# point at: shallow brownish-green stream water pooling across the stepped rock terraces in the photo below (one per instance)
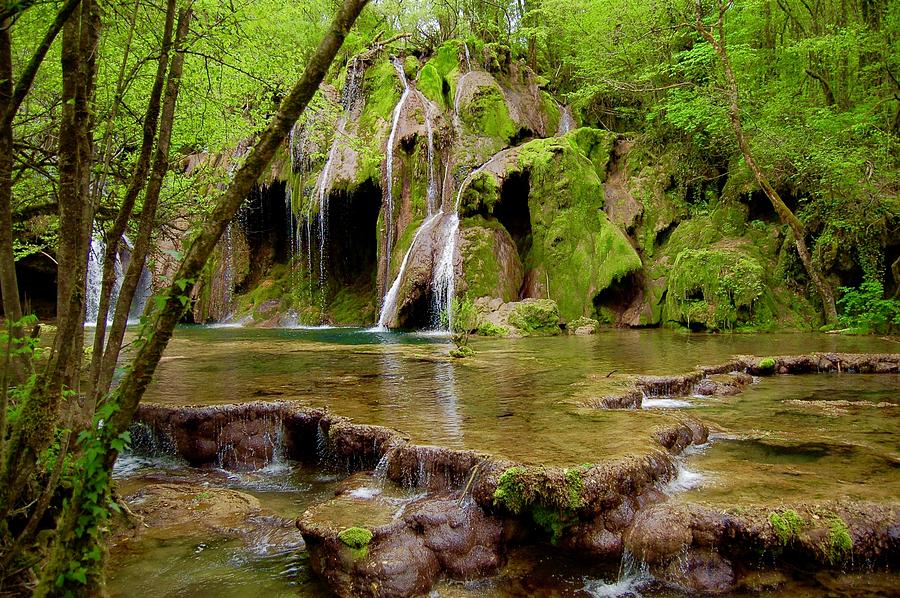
(807, 436)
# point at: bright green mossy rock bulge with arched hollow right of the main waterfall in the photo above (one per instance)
(570, 250)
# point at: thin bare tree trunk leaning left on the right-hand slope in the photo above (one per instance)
(784, 212)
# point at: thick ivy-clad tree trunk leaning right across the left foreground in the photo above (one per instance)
(73, 566)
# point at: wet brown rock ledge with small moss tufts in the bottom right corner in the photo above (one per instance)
(694, 547)
